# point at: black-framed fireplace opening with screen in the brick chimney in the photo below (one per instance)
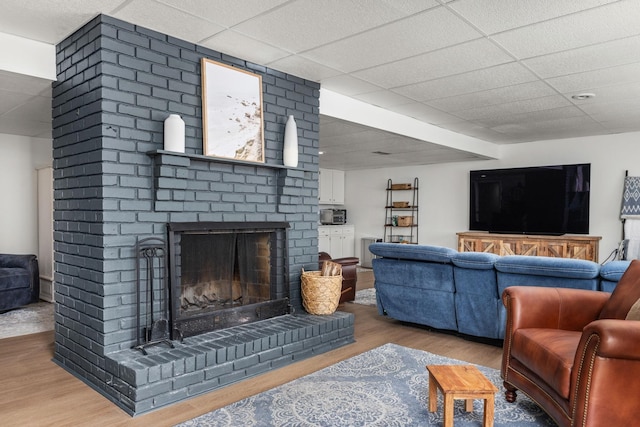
(224, 274)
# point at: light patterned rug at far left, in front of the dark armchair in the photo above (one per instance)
(37, 317)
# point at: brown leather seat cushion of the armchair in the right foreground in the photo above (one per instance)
(549, 353)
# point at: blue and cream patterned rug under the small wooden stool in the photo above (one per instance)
(386, 386)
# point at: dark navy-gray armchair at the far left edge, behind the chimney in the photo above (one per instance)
(19, 281)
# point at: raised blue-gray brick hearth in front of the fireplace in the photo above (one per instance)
(212, 360)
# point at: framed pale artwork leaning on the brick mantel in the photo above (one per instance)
(232, 112)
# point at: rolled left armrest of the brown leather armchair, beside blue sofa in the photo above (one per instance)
(554, 308)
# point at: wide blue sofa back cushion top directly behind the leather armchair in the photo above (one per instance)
(547, 266)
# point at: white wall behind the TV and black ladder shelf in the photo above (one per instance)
(444, 188)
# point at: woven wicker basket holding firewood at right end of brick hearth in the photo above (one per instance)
(320, 294)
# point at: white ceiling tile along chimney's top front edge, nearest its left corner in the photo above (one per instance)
(168, 20)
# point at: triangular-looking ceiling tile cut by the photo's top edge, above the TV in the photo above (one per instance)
(493, 16)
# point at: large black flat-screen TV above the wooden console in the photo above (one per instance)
(532, 200)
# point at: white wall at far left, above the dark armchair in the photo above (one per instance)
(20, 156)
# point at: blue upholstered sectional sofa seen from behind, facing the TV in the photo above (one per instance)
(461, 291)
